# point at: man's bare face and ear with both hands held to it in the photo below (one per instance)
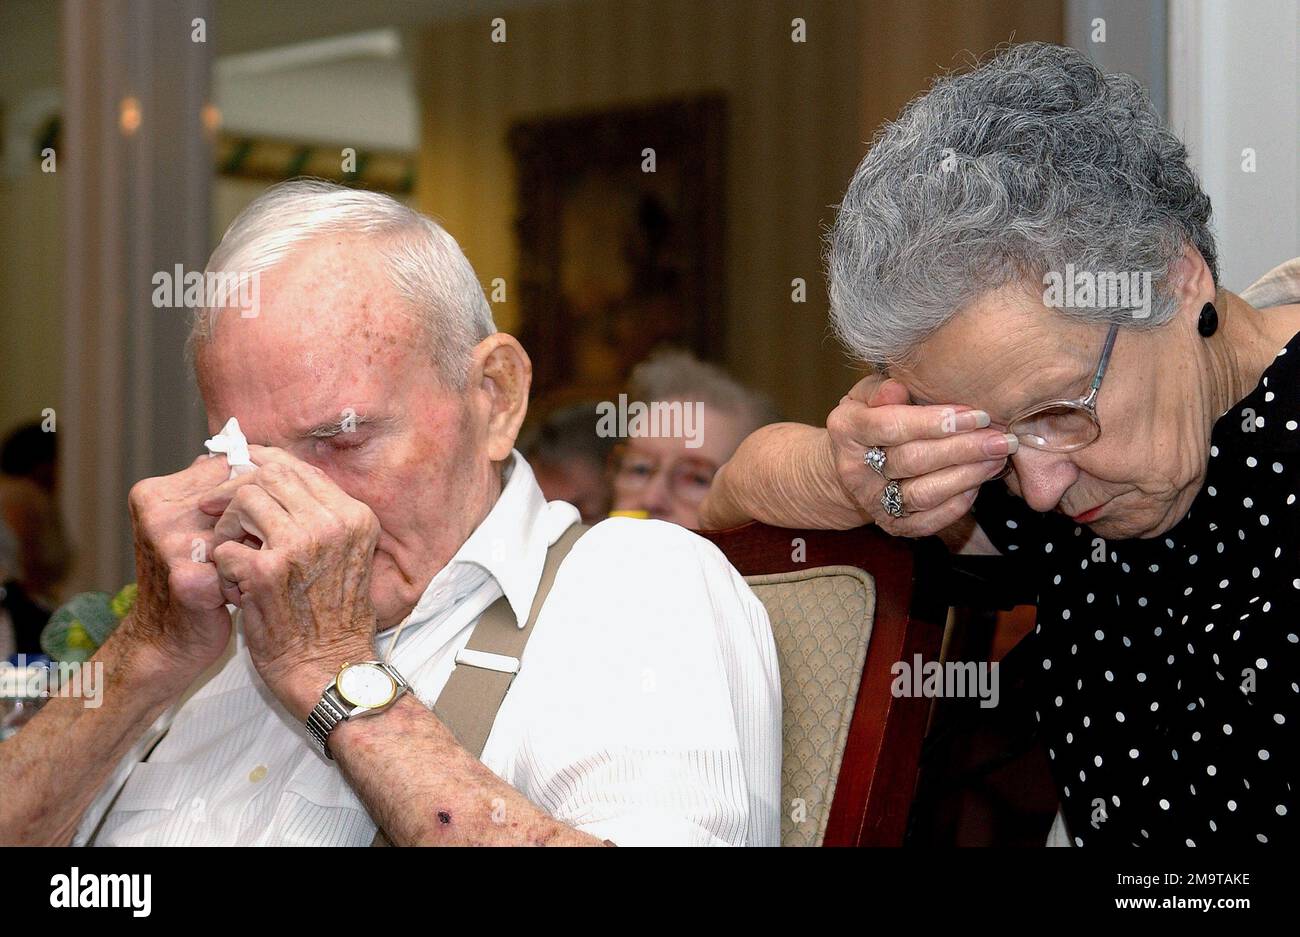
(337, 533)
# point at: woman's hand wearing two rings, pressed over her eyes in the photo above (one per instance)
(941, 456)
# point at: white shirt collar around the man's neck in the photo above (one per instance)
(510, 546)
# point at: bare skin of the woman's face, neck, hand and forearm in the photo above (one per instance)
(943, 422)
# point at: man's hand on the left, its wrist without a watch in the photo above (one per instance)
(180, 622)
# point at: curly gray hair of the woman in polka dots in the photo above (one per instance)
(1028, 163)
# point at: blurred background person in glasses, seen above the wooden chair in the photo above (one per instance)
(664, 474)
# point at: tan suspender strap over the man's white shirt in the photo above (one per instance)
(473, 697)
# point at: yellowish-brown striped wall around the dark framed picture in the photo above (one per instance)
(799, 119)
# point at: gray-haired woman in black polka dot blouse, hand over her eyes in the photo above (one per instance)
(1149, 444)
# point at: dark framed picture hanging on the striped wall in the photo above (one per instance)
(621, 241)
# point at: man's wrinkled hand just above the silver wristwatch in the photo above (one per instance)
(294, 552)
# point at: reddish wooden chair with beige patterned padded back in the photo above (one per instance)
(846, 606)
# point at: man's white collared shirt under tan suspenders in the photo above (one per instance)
(648, 709)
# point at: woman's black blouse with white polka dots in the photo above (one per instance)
(1165, 679)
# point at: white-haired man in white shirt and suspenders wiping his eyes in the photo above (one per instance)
(387, 513)
